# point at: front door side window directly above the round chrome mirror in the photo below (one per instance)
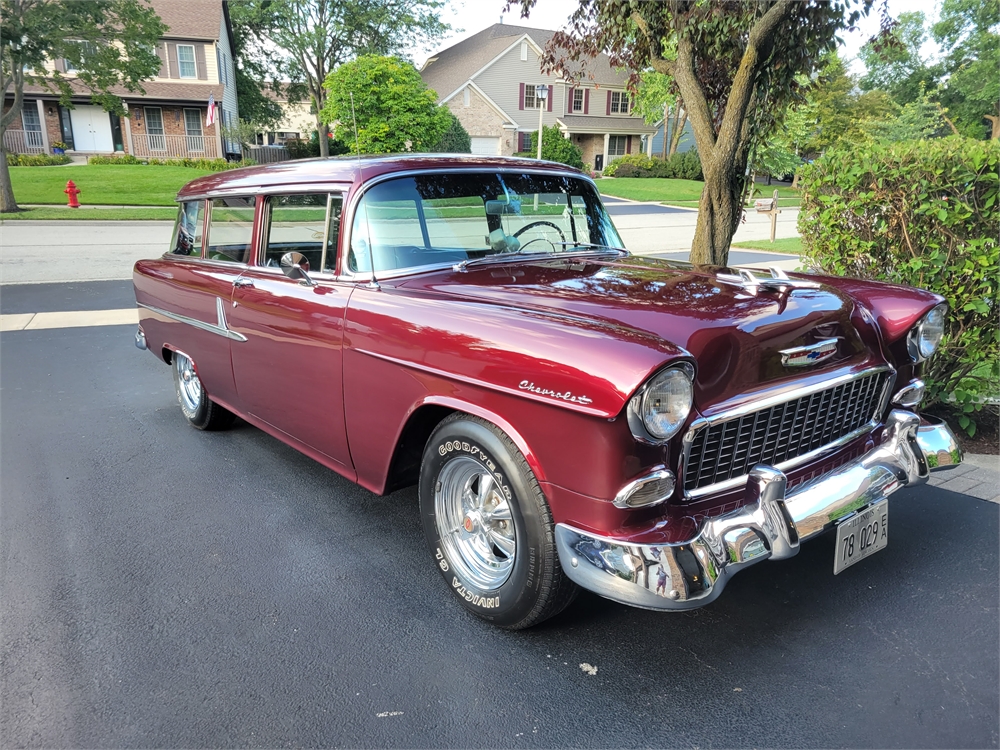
(298, 225)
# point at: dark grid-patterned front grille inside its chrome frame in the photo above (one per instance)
(730, 448)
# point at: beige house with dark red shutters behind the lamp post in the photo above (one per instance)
(488, 80)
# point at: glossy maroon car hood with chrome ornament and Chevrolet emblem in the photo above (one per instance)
(736, 334)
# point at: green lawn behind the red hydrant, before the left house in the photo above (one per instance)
(102, 184)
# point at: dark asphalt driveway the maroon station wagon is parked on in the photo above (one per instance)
(168, 587)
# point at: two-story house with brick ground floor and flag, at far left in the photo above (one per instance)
(169, 120)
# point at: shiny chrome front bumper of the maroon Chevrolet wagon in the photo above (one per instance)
(770, 526)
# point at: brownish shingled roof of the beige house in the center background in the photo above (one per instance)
(449, 69)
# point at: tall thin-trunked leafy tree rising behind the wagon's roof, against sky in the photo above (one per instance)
(307, 39)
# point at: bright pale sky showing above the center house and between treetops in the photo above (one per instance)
(473, 16)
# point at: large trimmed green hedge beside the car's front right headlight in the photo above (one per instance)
(922, 213)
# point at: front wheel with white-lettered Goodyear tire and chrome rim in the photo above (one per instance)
(488, 525)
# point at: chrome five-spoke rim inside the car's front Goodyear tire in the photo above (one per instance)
(474, 523)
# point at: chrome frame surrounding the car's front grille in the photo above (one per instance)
(753, 406)
